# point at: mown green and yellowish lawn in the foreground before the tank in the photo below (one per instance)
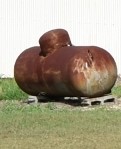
(36, 127)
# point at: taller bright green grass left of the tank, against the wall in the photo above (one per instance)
(9, 90)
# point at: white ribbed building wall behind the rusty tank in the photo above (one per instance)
(89, 22)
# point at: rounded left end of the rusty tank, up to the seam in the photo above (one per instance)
(25, 70)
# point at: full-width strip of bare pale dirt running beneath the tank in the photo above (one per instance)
(70, 104)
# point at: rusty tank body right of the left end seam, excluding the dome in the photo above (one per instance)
(77, 71)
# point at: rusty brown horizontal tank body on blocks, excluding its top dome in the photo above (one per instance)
(69, 71)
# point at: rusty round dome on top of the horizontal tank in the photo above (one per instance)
(53, 40)
